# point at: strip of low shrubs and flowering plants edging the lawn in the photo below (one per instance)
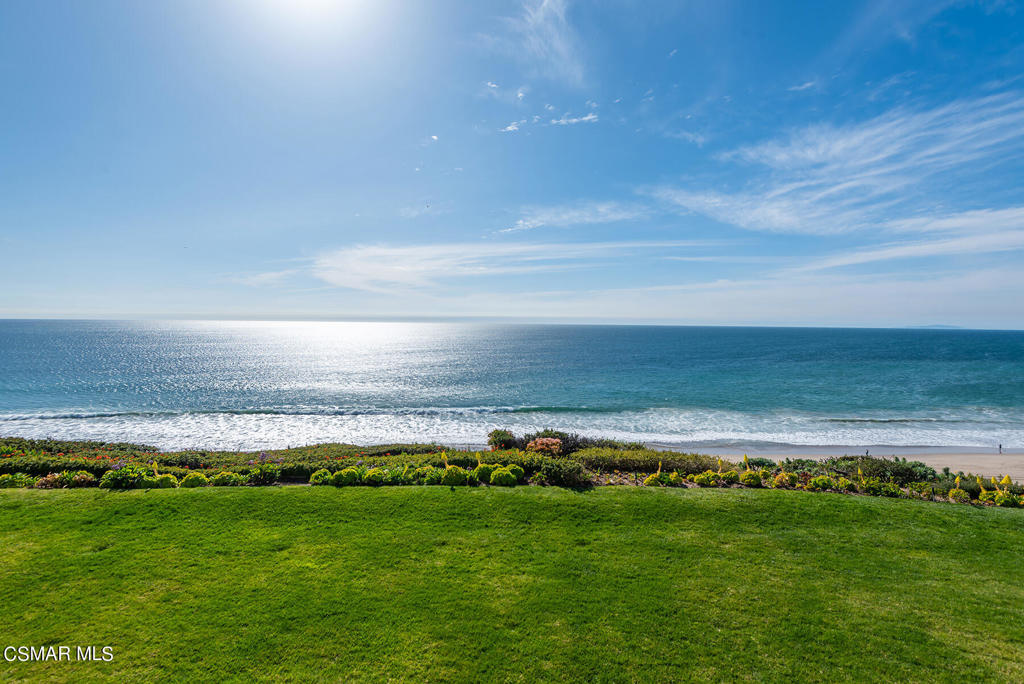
(549, 458)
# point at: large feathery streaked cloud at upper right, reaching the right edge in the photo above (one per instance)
(828, 180)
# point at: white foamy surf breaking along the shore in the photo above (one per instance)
(686, 429)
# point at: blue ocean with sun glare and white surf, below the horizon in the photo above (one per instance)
(263, 386)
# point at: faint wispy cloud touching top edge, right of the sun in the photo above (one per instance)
(543, 38)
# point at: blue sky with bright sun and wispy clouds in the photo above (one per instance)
(713, 163)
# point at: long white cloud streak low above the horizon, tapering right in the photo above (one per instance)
(392, 269)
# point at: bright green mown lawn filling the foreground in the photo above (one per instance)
(618, 584)
